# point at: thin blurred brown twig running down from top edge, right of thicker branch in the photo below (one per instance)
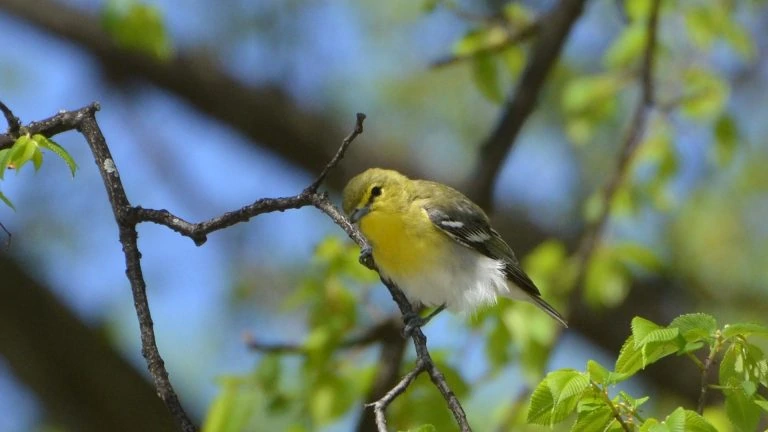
(637, 127)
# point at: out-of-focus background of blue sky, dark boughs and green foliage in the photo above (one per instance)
(208, 106)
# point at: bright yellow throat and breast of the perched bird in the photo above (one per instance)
(402, 249)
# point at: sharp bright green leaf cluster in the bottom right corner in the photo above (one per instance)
(743, 371)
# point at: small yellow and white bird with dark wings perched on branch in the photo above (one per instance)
(436, 244)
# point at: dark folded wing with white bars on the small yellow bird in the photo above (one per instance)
(465, 223)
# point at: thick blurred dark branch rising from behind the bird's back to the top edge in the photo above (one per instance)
(554, 28)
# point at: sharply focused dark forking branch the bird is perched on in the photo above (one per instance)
(127, 218)
